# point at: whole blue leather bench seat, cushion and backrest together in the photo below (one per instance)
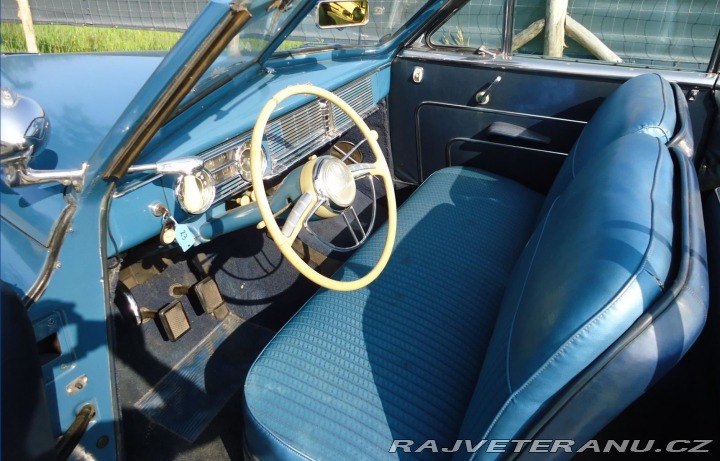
(494, 300)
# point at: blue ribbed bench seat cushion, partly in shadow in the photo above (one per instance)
(400, 358)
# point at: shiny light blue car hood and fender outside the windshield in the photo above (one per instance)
(83, 95)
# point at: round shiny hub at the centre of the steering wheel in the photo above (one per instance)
(334, 182)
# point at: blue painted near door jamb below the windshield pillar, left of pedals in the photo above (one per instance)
(78, 294)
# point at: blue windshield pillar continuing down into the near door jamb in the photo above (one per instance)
(82, 264)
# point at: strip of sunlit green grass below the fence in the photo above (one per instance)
(74, 39)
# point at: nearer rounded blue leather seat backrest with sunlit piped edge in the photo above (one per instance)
(595, 262)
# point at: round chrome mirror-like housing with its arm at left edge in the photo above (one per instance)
(24, 130)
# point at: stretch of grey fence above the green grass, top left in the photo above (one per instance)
(170, 15)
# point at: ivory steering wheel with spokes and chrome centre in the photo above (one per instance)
(328, 187)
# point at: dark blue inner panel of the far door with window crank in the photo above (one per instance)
(429, 119)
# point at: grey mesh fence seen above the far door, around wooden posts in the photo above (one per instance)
(673, 33)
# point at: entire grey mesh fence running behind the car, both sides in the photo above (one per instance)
(674, 33)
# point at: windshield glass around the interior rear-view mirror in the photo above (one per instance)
(386, 19)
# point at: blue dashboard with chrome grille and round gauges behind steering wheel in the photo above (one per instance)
(289, 139)
